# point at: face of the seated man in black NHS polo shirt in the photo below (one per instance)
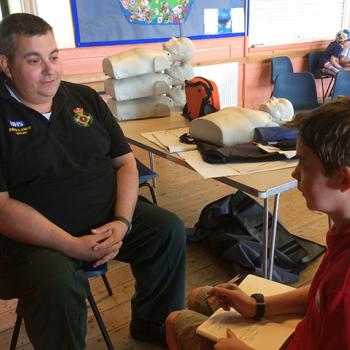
(35, 71)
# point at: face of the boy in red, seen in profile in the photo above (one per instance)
(317, 188)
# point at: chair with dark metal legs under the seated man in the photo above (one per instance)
(90, 272)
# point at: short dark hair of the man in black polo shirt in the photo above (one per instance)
(19, 24)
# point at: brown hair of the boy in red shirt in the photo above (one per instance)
(326, 130)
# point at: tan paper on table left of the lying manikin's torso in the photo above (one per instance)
(169, 139)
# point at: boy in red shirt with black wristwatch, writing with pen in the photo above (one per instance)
(323, 175)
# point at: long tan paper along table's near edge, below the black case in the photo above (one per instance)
(206, 170)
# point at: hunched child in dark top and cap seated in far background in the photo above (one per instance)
(329, 61)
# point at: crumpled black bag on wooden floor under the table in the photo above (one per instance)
(232, 228)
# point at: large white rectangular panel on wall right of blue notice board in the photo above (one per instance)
(276, 22)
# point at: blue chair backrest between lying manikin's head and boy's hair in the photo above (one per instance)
(298, 88)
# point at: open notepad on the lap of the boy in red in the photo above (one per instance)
(267, 334)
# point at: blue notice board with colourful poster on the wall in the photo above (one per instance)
(109, 22)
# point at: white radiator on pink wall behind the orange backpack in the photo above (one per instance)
(225, 76)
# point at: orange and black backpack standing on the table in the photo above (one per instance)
(202, 98)
